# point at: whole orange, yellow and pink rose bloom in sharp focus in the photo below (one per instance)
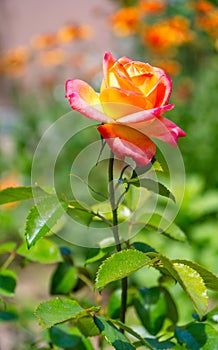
(132, 98)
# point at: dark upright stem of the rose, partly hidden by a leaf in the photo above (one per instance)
(124, 282)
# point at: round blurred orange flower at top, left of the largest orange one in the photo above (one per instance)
(126, 21)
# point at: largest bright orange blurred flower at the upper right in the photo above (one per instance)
(167, 33)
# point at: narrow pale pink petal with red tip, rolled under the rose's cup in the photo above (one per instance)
(144, 115)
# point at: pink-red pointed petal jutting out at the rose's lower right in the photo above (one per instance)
(162, 129)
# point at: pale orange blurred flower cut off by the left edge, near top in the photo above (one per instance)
(14, 62)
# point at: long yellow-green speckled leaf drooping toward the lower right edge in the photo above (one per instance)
(191, 281)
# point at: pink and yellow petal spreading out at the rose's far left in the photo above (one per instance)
(85, 100)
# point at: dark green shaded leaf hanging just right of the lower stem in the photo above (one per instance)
(151, 307)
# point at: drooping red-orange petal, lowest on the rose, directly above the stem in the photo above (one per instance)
(127, 142)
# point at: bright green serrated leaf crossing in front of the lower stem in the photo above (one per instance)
(120, 265)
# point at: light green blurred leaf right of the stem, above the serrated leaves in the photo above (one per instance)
(162, 225)
